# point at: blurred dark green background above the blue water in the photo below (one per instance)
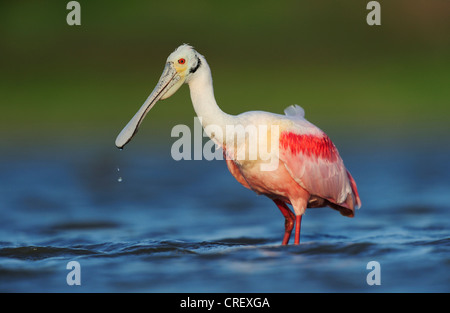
(61, 82)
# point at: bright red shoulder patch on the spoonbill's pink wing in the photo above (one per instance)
(309, 145)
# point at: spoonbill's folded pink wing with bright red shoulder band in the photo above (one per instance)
(314, 163)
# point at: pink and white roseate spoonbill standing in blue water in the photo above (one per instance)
(310, 171)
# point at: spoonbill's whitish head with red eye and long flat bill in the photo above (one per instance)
(181, 66)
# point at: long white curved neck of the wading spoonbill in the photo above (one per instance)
(213, 119)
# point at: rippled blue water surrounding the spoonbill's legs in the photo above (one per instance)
(188, 226)
